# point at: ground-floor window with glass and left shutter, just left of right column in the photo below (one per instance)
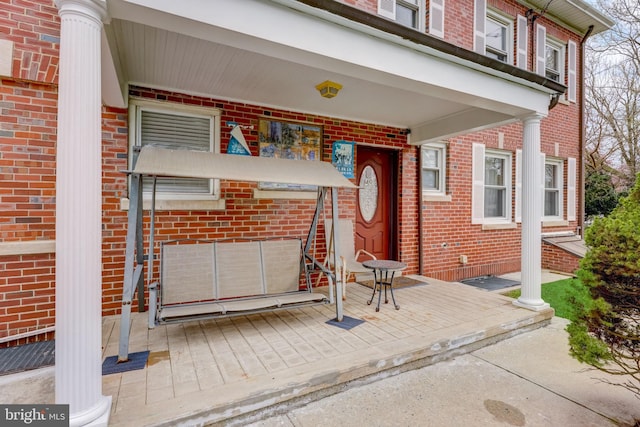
(491, 191)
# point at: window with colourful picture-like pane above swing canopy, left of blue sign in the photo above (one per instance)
(289, 140)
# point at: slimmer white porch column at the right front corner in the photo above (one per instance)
(532, 205)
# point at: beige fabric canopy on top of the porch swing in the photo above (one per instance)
(199, 164)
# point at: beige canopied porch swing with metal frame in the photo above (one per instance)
(201, 279)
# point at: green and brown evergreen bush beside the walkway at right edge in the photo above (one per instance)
(607, 328)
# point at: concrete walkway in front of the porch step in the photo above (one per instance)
(528, 380)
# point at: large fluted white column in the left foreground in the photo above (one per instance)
(78, 369)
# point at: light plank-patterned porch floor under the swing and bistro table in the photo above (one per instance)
(209, 371)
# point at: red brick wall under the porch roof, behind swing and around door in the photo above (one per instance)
(244, 215)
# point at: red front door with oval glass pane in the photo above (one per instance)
(376, 201)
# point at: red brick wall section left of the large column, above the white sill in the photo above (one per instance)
(27, 160)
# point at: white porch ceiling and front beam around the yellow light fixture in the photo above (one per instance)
(266, 54)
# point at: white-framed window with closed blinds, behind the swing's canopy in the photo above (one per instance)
(178, 127)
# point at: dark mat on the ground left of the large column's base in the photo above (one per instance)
(27, 356)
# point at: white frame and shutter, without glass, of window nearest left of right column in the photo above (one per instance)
(477, 193)
